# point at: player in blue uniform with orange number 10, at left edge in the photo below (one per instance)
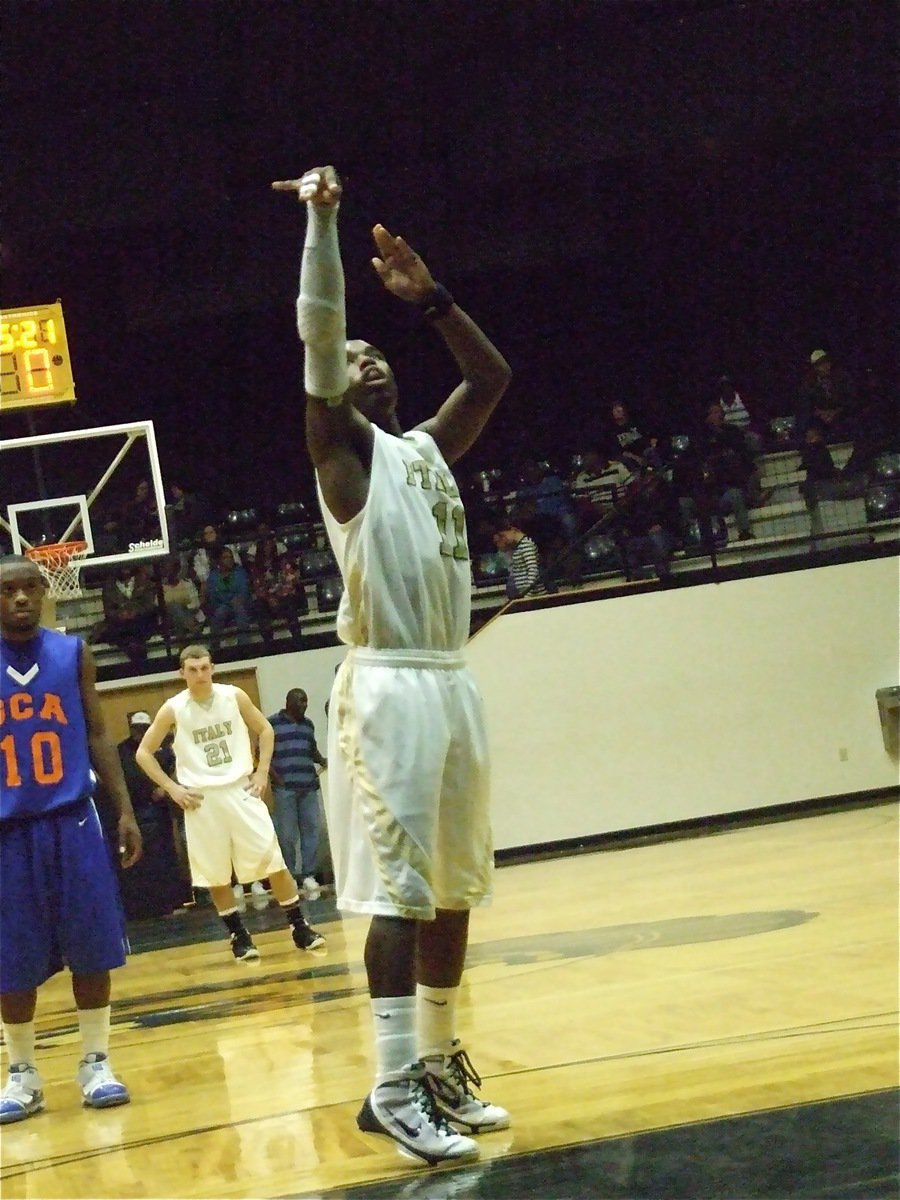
(61, 896)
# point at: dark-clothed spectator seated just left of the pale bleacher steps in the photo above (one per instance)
(716, 475)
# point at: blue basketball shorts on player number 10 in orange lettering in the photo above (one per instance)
(61, 899)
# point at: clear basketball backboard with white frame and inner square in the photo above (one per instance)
(82, 485)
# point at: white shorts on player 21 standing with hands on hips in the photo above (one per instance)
(232, 829)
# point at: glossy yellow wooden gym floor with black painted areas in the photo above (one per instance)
(711, 1017)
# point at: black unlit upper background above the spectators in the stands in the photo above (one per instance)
(631, 197)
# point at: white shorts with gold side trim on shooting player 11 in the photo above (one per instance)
(409, 785)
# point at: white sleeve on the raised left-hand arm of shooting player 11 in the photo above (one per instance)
(321, 314)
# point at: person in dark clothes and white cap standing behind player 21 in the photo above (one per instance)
(154, 887)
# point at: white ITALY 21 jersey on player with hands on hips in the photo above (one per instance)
(212, 739)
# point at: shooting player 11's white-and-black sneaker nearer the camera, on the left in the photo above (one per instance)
(404, 1108)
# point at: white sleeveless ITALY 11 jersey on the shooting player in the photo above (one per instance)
(405, 559)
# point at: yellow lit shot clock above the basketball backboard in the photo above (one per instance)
(35, 369)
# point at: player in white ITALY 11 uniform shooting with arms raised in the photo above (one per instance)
(407, 749)
